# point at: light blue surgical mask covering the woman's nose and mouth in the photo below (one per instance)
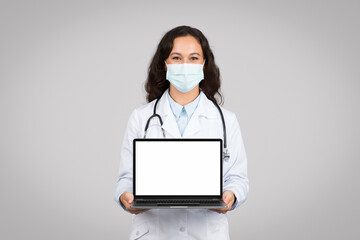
(184, 77)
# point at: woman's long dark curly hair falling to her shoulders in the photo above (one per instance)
(156, 82)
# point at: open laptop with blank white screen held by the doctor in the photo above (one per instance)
(177, 173)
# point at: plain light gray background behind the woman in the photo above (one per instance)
(72, 72)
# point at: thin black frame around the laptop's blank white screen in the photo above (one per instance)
(178, 196)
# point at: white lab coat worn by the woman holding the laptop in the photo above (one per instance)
(185, 223)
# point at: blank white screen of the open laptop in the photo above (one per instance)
(177, 168)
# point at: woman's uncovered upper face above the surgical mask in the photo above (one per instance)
(186, 50)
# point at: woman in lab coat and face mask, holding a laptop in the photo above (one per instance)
(184, 77)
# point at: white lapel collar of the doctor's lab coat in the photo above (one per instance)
(205, 109)
